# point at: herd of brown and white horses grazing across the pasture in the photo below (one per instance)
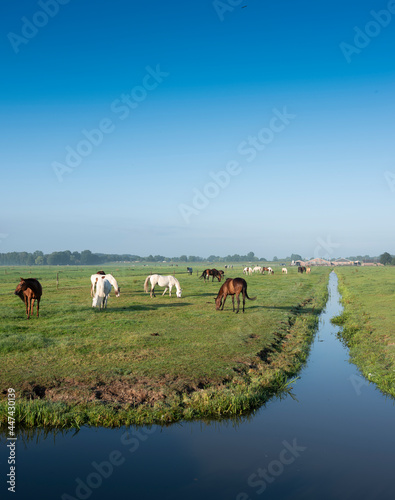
(30, 289)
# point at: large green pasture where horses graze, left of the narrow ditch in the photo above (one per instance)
(153, 360)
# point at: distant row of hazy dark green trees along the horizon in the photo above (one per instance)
(86, 257)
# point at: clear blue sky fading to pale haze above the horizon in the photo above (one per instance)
(295, 99)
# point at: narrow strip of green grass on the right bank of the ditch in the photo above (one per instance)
(368, 322)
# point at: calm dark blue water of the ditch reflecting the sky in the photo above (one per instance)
(335, 440)
